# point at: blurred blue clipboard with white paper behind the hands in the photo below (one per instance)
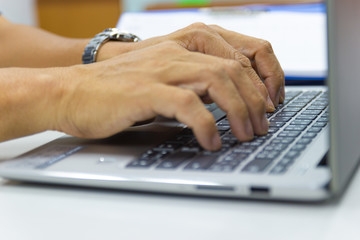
(299, 42)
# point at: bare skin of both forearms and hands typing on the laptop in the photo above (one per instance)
(45, 86)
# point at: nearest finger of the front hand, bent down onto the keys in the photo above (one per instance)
(186, 107)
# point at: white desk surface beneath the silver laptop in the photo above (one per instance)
(50, 212)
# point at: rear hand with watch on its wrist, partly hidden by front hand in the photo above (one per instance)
(255, 55)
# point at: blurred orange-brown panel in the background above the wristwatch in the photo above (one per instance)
(78, 18)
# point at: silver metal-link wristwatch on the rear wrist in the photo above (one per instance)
(109, 34)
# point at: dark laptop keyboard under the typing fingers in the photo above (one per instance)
(293, 126)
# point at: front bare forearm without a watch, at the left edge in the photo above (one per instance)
(29, 101)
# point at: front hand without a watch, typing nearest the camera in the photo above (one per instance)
(165, 79)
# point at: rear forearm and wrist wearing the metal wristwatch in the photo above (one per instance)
(26, 46)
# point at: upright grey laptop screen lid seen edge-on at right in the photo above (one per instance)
(344, 83)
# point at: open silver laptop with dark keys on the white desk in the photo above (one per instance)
(310, 153)
